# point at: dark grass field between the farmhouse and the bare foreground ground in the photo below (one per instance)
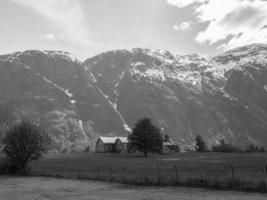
(244, 171)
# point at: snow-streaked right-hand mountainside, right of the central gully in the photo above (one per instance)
(219, 97)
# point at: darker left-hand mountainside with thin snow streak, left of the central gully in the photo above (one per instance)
(56, 90)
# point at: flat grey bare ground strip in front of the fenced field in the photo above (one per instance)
(41, 188)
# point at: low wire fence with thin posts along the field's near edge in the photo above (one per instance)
(223, 177)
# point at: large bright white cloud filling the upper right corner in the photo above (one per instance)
(238, 22)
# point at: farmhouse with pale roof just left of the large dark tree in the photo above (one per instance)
(111, 145)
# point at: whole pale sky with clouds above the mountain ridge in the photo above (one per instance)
(88, 27)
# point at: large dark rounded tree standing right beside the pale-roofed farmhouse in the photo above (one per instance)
(146, 137)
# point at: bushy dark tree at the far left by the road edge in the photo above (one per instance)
(24, 143)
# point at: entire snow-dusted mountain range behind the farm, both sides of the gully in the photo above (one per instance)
(224, 96)
